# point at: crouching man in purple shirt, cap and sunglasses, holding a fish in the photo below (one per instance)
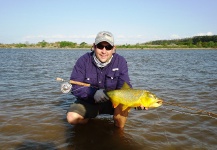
(104, 70)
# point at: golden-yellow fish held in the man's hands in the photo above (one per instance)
(129, 97)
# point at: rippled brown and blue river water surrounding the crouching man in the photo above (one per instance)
(32, 108)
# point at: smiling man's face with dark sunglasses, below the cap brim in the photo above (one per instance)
(104, 51)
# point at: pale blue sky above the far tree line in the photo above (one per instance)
(130, 21)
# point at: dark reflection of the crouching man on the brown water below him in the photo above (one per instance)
(99, 133)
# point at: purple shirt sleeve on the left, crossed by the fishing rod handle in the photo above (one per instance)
(78, 74)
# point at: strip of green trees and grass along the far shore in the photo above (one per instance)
(194, 42)
